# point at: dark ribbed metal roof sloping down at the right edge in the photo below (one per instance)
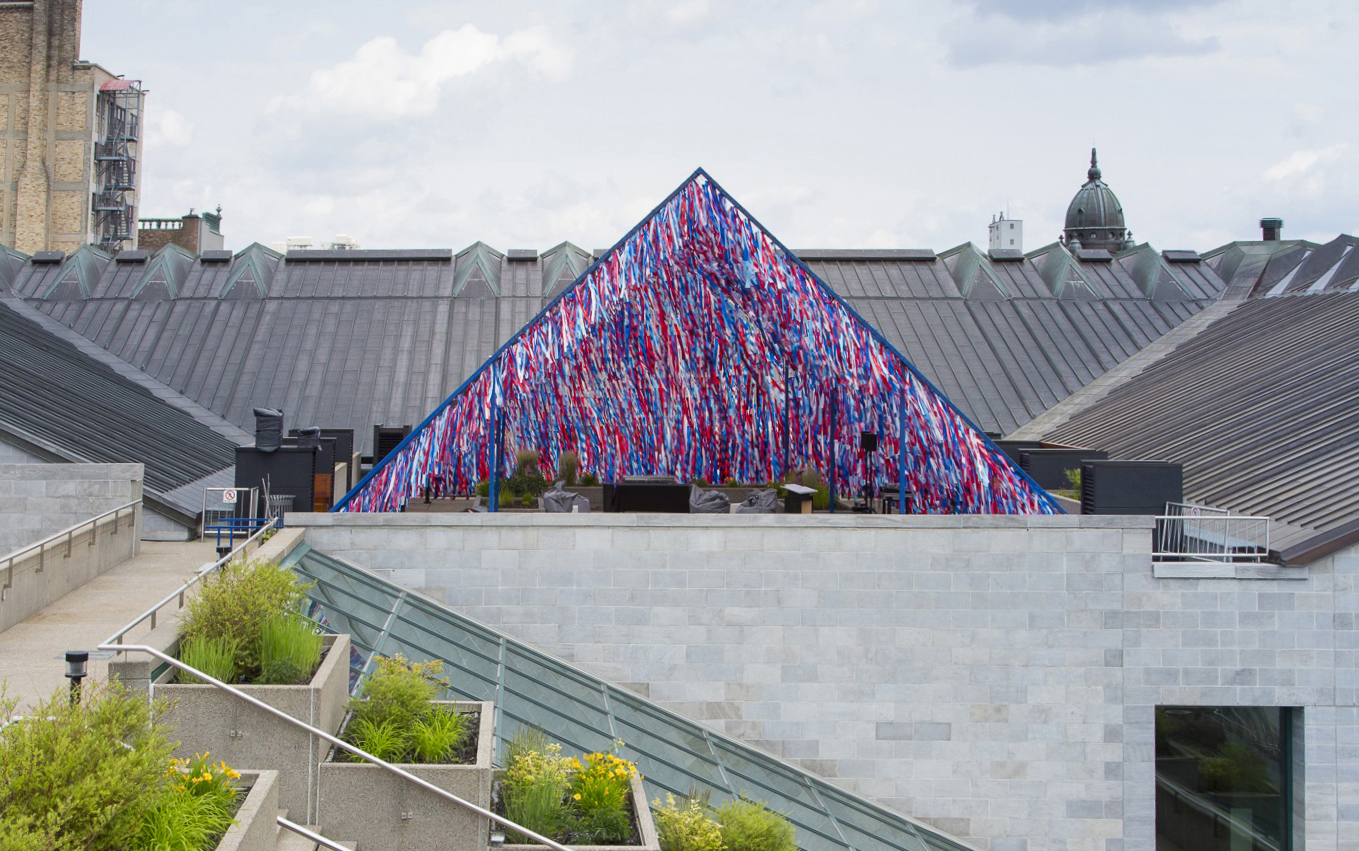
(1259, 407)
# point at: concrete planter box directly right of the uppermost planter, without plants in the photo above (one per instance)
(384, 812)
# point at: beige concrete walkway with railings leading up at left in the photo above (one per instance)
(33, 652)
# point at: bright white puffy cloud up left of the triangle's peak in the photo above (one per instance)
(385, 81)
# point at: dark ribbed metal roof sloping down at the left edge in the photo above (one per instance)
(84, 410)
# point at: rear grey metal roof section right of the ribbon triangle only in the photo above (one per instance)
(1009, 341)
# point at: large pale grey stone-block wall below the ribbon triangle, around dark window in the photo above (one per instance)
(995, 678)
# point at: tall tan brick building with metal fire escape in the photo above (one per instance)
(71, 177)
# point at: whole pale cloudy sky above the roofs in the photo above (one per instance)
(839, 123)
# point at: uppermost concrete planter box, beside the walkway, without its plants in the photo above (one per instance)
(207, 718)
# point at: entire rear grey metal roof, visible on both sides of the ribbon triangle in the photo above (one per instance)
(354, 339)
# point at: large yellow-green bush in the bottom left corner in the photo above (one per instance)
(81, 777)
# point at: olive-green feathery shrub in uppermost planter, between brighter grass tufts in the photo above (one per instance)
(236, 604)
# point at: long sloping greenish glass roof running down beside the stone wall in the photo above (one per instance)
(586, 714)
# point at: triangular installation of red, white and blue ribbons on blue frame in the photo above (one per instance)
(699, 347)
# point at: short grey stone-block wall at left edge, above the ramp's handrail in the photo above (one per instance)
(39, 500)
